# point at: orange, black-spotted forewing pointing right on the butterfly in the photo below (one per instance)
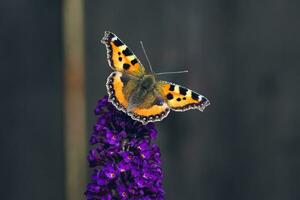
(180, 98)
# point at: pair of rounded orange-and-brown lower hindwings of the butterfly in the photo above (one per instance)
(120, 88)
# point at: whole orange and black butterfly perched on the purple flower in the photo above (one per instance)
(134, 91)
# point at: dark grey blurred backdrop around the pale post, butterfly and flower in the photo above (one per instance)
(242, 55)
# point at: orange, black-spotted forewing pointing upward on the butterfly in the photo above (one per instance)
(120, 57)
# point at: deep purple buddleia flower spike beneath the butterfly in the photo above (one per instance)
(126, 165)
